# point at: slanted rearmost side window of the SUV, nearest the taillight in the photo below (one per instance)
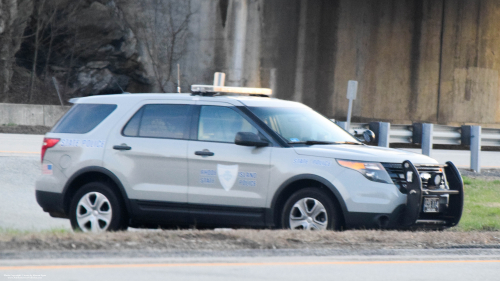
(82, 118)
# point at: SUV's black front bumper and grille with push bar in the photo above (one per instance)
(411, 214)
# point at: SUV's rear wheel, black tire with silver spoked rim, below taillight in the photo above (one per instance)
(109, 216)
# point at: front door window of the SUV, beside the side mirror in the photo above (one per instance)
(221, 124)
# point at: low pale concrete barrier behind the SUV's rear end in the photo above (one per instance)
(31, 114)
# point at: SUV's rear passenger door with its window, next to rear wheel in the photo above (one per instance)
(148, 153)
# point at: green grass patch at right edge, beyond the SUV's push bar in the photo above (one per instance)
(482, 205)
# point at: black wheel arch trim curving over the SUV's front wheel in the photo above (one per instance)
(328, 184)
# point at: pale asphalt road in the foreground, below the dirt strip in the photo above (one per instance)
(373, 268)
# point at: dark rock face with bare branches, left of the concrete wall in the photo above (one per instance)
(85, 45)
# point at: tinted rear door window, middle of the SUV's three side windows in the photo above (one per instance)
(159, 121)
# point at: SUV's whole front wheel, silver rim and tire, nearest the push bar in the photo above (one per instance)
(310, 209)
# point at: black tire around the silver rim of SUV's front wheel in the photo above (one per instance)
(309, 195)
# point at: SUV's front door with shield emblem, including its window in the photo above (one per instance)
(226, 179)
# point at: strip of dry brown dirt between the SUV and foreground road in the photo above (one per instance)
(248, 239)
